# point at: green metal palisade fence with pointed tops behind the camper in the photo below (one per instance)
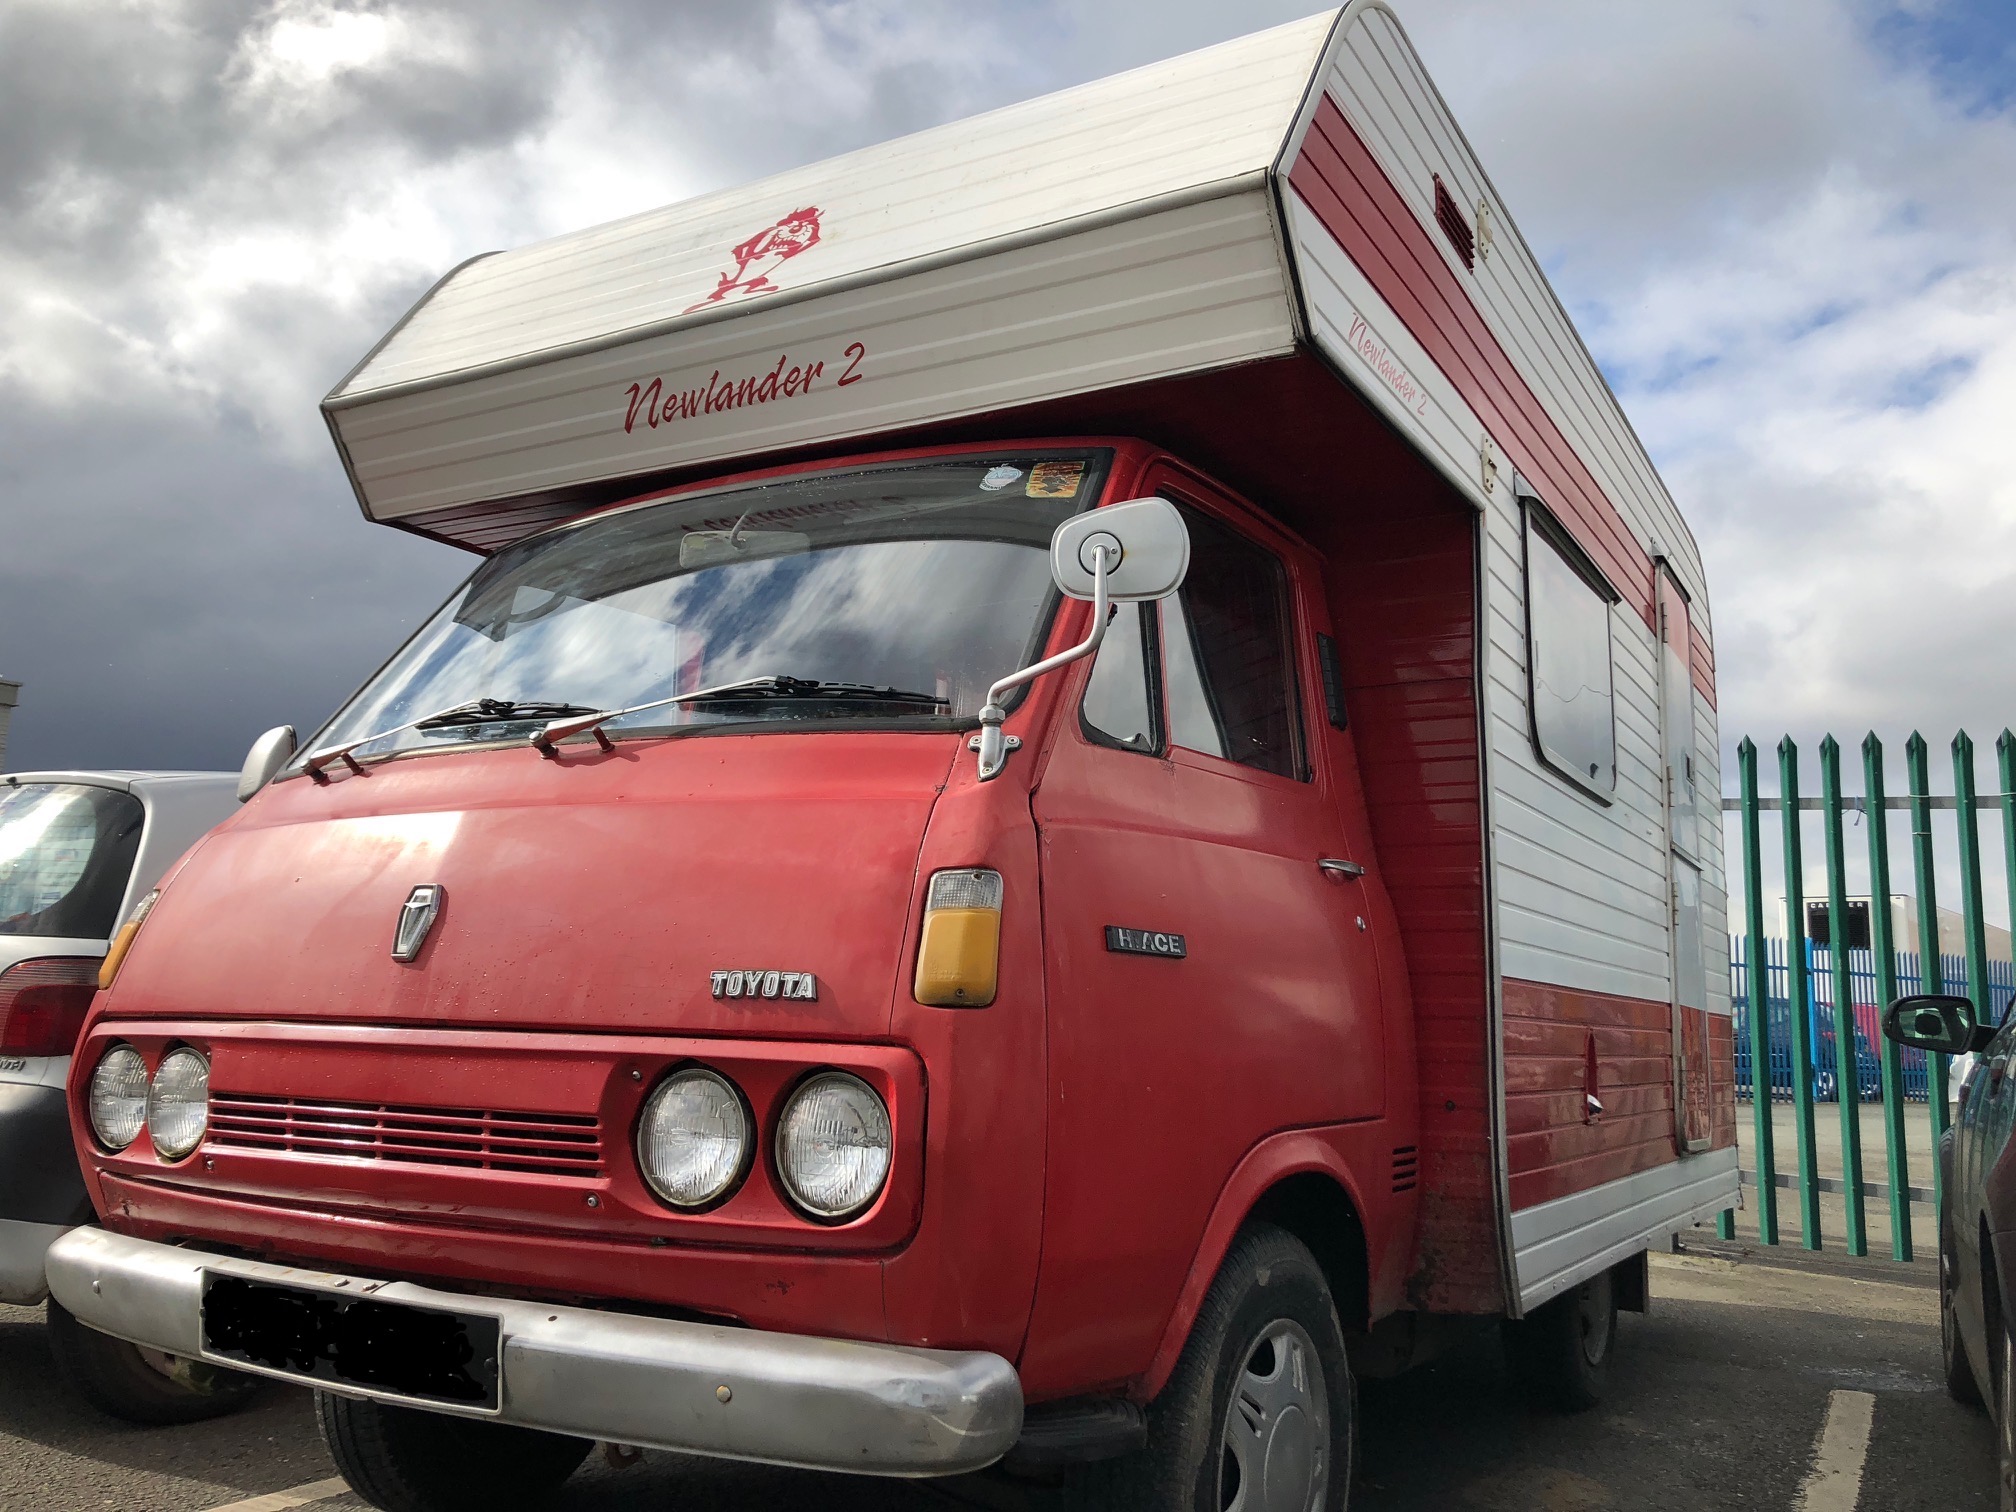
(1809, 1013)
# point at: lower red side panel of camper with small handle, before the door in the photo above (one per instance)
(1553, 1041)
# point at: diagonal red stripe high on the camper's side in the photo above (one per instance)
(1346, 188)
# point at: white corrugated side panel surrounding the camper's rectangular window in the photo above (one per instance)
(1582, 886)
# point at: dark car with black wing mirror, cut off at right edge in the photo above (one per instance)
(1979, 1229)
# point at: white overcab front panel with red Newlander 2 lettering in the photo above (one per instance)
(1170, 293)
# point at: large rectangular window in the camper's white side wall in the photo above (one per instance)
(1569, 660)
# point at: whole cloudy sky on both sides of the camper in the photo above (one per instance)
(1785, 227)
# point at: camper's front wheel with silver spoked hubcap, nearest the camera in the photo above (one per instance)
(1261, 1408)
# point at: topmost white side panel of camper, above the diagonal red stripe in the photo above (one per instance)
(1386, 92)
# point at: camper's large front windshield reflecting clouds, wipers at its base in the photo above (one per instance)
(876, 596)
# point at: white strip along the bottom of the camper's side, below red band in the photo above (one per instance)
(1567, 1241)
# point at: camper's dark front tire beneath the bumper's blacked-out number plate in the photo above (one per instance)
(410, 1461)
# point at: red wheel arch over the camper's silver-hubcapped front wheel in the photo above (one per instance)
(1299, 1182)
